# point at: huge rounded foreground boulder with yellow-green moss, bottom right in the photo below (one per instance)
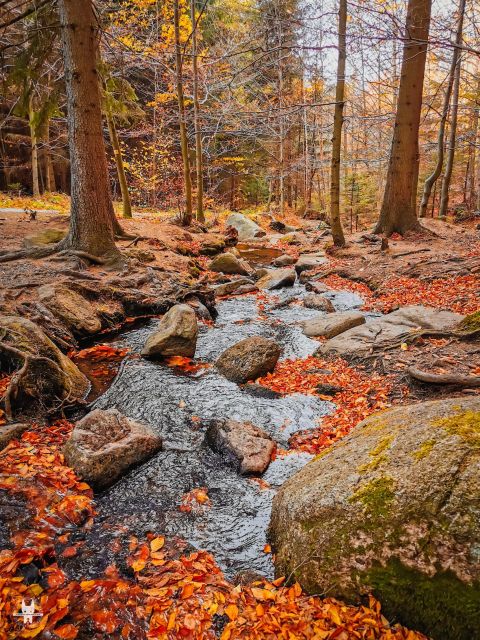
(392, 509)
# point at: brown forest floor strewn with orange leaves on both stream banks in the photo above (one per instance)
(170, 594)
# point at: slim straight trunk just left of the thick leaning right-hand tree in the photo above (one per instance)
(337, 231)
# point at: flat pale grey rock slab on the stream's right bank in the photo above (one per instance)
(396, 327)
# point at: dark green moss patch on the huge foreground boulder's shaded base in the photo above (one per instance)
(441, 606)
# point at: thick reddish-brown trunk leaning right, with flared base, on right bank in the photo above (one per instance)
(397, 213)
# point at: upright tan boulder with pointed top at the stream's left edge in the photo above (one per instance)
(176, 334)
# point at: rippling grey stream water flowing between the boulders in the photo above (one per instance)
(174, 403)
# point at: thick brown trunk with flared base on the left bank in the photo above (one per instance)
(92, 217)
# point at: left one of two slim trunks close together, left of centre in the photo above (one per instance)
(187, 217)
